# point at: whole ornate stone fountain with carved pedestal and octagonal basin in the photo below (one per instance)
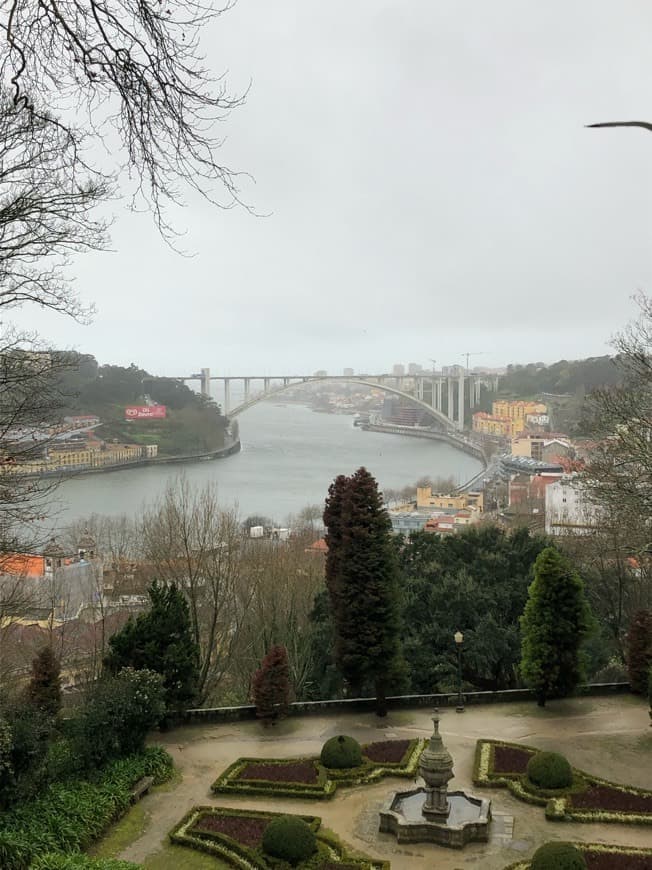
(431, 813)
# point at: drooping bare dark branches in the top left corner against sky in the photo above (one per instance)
(136, 70)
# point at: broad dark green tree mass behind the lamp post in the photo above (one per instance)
(476, 581)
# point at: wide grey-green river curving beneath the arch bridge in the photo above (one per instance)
(289, 457)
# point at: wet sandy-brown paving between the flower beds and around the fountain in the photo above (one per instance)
(609, 737)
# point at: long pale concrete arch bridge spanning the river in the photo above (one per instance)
(443, 396)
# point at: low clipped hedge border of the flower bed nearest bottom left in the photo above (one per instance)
(244, 857)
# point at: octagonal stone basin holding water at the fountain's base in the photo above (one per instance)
(468, 819)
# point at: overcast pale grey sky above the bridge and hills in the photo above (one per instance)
(431, 190)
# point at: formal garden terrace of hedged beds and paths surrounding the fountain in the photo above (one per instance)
(234, 778)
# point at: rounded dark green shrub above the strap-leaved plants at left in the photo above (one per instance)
(116, 717)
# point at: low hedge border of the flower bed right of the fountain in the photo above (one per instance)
(558, 806)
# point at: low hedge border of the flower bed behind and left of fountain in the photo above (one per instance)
(328, 778)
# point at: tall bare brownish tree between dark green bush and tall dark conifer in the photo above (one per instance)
(191, 541)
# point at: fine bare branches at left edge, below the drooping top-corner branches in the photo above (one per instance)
(47, 203)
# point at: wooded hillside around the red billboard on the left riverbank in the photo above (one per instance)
(193, 423)
